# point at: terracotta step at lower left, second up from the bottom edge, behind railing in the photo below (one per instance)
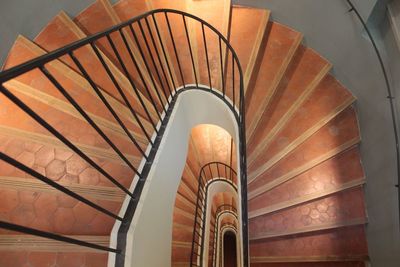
(56, 213)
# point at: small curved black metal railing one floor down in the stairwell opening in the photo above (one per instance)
(210, 173)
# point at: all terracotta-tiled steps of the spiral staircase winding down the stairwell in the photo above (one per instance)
(304, 175)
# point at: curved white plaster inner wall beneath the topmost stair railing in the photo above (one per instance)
(150, 235)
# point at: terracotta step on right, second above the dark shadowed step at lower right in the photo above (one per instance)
(339, 173)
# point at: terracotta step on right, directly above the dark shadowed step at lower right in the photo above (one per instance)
(338, 210)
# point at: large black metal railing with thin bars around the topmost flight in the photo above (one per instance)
(156, 75)
